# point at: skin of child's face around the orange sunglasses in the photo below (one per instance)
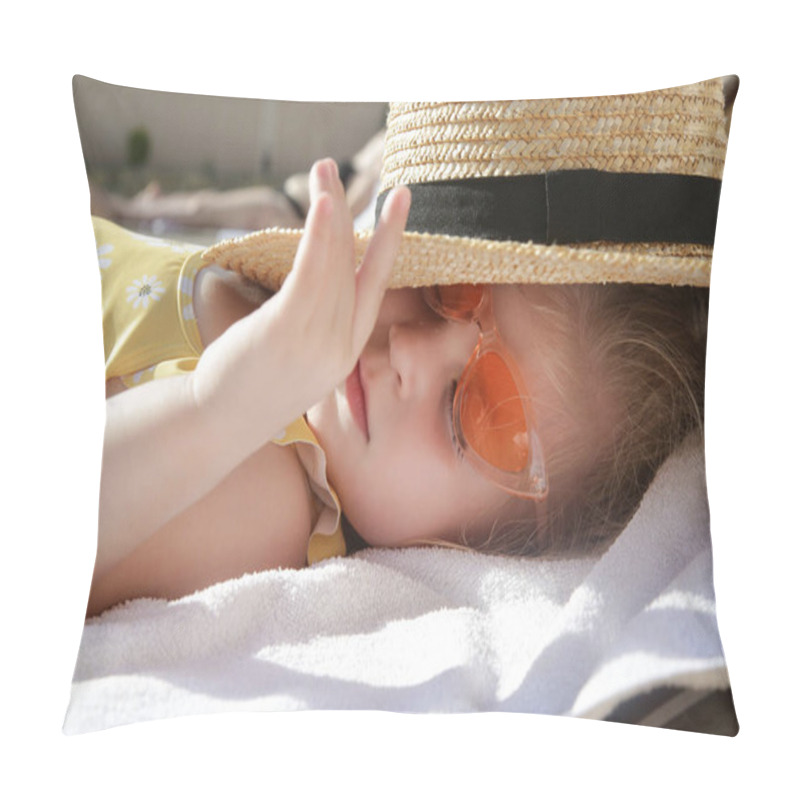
(401, 479)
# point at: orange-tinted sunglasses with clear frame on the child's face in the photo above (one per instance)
(493, 416)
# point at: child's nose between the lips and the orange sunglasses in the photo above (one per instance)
(428, 356)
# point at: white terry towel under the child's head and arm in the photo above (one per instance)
(428, 629)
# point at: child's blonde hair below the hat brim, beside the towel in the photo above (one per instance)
(630, 387)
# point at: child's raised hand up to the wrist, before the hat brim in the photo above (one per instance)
(275, 364)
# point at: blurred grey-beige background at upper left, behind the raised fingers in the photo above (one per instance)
(202, 168)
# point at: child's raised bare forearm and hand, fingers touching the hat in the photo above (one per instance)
(170, 442)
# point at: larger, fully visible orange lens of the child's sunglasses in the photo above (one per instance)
(492, 416)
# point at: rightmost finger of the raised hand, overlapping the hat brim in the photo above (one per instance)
(373, 275)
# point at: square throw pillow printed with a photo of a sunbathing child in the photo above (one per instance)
(575, 580)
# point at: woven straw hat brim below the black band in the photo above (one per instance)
(266, 257)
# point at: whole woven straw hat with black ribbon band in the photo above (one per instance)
(618, 189)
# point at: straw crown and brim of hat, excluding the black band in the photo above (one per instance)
(678, 131)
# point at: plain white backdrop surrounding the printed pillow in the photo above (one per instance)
(53, 407)
